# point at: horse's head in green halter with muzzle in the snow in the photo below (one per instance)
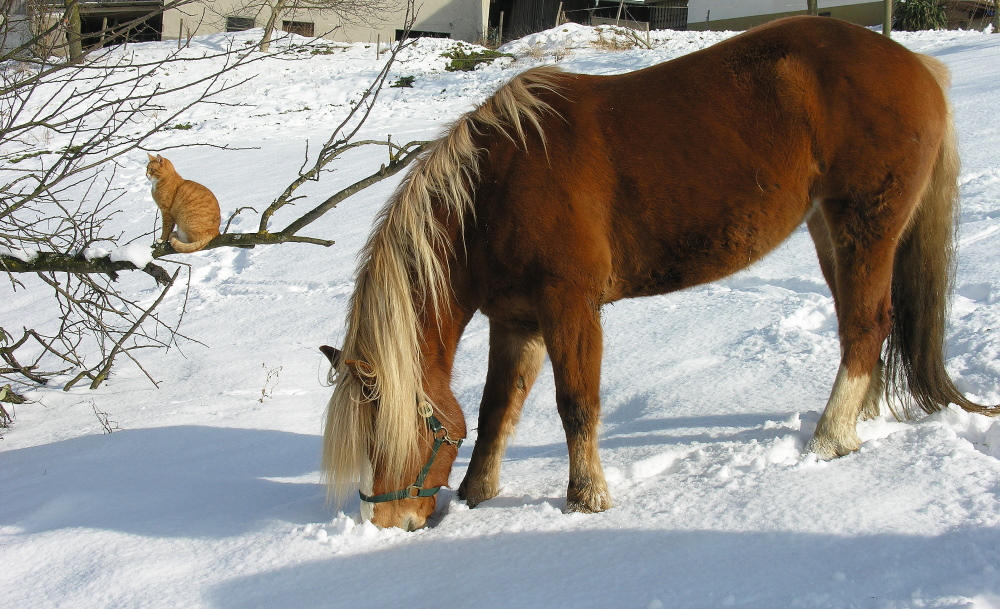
(404, 495)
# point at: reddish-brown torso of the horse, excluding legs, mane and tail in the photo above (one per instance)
(687, 171)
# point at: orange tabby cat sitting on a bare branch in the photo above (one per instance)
(188, 205)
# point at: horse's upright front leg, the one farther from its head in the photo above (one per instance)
(571, 325)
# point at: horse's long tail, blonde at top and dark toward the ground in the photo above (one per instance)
(921, 287)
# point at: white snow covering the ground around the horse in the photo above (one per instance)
(207, 494)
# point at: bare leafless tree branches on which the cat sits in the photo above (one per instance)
(57, 202)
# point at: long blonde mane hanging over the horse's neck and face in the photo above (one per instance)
(401, 274)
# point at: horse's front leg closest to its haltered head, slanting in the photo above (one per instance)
(516, 355)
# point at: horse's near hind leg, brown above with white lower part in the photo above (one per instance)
(863, 248)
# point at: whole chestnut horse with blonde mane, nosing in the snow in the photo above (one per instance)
(564, 192)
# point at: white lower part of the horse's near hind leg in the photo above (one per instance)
(836, 433)
